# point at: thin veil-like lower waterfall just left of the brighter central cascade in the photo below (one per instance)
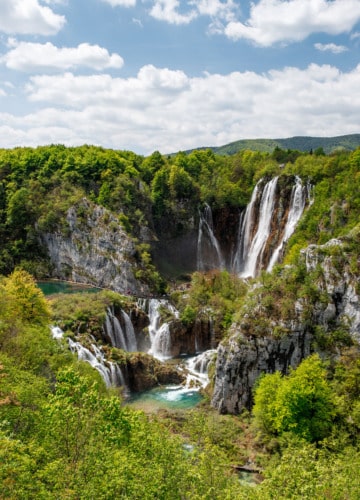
(122, 338)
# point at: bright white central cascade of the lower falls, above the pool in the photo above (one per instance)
(159, 332)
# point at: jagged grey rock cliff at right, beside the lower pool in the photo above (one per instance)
(244, 357)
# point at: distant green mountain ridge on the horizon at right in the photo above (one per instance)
(299, 143)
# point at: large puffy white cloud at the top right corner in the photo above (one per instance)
(273, 21)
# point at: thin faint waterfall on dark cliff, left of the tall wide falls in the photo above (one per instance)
(208, 249)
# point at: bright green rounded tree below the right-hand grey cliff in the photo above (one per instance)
(301, 403)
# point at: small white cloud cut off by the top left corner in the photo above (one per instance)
(28, 17)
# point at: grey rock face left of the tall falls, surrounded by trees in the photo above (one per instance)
(93, 248)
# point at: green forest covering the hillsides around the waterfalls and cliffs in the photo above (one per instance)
(65, 434)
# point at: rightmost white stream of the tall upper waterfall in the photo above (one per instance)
(297, 205)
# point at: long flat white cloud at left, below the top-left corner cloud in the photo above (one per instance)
(35, 57)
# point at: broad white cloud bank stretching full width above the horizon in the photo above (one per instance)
(169, 111)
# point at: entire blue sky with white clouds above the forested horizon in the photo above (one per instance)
(173, 75)
